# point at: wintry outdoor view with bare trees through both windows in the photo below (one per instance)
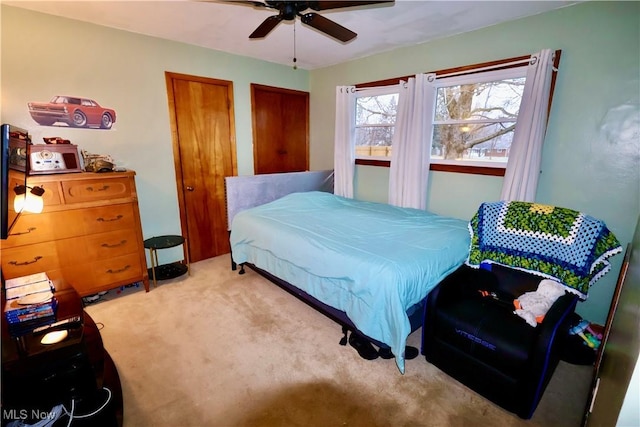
(474, 119)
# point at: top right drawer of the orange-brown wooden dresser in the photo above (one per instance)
(90, 190)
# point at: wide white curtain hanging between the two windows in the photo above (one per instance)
(411, 153)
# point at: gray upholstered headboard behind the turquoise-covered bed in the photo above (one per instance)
(243, 192)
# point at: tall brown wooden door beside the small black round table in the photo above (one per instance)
(203, 130)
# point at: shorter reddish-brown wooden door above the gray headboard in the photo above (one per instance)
(280, 129)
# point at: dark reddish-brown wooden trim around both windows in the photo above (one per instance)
(462, 71)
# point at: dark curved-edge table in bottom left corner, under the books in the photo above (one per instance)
(36, 377)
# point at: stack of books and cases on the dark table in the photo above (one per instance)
(30, 303)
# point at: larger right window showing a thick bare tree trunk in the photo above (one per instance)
(475, 117)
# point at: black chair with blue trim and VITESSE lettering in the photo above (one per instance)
(471, 333)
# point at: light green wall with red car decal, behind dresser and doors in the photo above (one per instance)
(43, 55)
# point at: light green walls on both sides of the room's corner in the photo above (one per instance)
(585, 164)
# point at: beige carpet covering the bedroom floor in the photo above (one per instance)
(220, 349)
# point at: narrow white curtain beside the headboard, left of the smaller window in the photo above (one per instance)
(344, 158)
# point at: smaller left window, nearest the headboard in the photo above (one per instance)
(375, 121)
